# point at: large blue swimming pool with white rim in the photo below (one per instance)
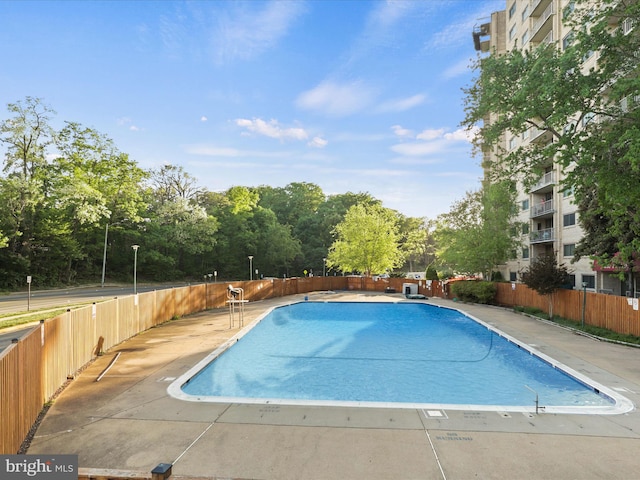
(387, 354)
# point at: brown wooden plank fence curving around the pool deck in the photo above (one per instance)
(34, 368)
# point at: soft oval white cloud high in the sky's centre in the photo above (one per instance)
(337, 99)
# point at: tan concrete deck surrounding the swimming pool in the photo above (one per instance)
(128, 422)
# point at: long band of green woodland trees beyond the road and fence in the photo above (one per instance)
(73, 204)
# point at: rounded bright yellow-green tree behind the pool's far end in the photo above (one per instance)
(366, 241)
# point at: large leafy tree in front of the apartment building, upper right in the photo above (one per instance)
(587, 118)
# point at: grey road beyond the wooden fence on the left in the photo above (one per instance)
(51, 299)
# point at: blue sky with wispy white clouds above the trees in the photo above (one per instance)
(351, 95)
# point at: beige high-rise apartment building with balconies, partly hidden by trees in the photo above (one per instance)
(548, 213)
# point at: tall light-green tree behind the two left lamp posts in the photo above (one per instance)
(92, 184)
